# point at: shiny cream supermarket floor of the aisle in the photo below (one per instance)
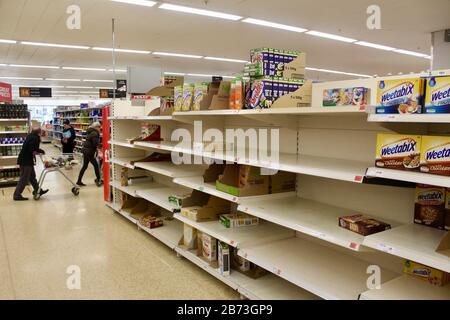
(40, 240)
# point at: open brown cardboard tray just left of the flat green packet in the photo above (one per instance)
(203, 207)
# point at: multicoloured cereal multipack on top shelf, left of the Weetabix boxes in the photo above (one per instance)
(345, 97)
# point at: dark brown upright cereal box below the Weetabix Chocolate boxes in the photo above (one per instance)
(429, 207)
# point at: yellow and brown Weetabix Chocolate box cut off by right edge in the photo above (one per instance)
(435, 155)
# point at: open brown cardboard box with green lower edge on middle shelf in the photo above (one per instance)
(242, 181)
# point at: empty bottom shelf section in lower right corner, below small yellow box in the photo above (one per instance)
(407, 288)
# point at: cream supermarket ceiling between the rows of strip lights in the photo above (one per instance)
(405, 24)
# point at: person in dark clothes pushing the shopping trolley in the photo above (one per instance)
(27, 161)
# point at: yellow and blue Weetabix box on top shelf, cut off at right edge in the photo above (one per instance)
(437, 96)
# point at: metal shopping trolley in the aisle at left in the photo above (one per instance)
(59, 164)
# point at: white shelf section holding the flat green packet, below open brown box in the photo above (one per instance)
(238, 237)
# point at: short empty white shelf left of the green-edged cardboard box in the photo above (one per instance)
(170, 169)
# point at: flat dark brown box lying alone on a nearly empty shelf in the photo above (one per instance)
(362, 224)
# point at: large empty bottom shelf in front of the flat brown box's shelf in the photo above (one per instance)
(320, 270)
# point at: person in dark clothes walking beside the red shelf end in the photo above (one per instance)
(89, 153)
